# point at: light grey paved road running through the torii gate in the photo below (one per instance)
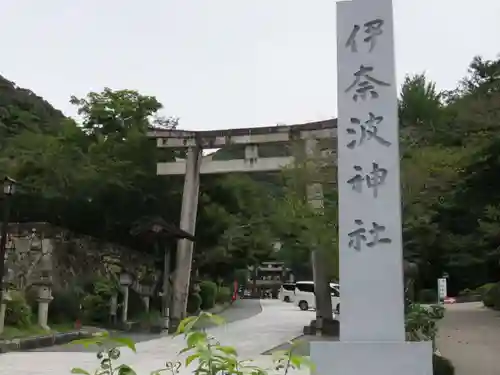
(278, 322)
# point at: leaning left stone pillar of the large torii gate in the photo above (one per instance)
(188, 224)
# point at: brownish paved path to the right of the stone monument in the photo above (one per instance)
(470, 337)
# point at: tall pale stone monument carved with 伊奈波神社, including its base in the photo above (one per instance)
(372, 334)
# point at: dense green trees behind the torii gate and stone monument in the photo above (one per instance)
(80, 176)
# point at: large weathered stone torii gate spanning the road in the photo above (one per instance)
(195, 164)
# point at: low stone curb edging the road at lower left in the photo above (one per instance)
(36, 342)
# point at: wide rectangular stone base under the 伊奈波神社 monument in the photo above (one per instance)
(376, 358)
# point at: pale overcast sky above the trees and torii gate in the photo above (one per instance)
(222, 63)
